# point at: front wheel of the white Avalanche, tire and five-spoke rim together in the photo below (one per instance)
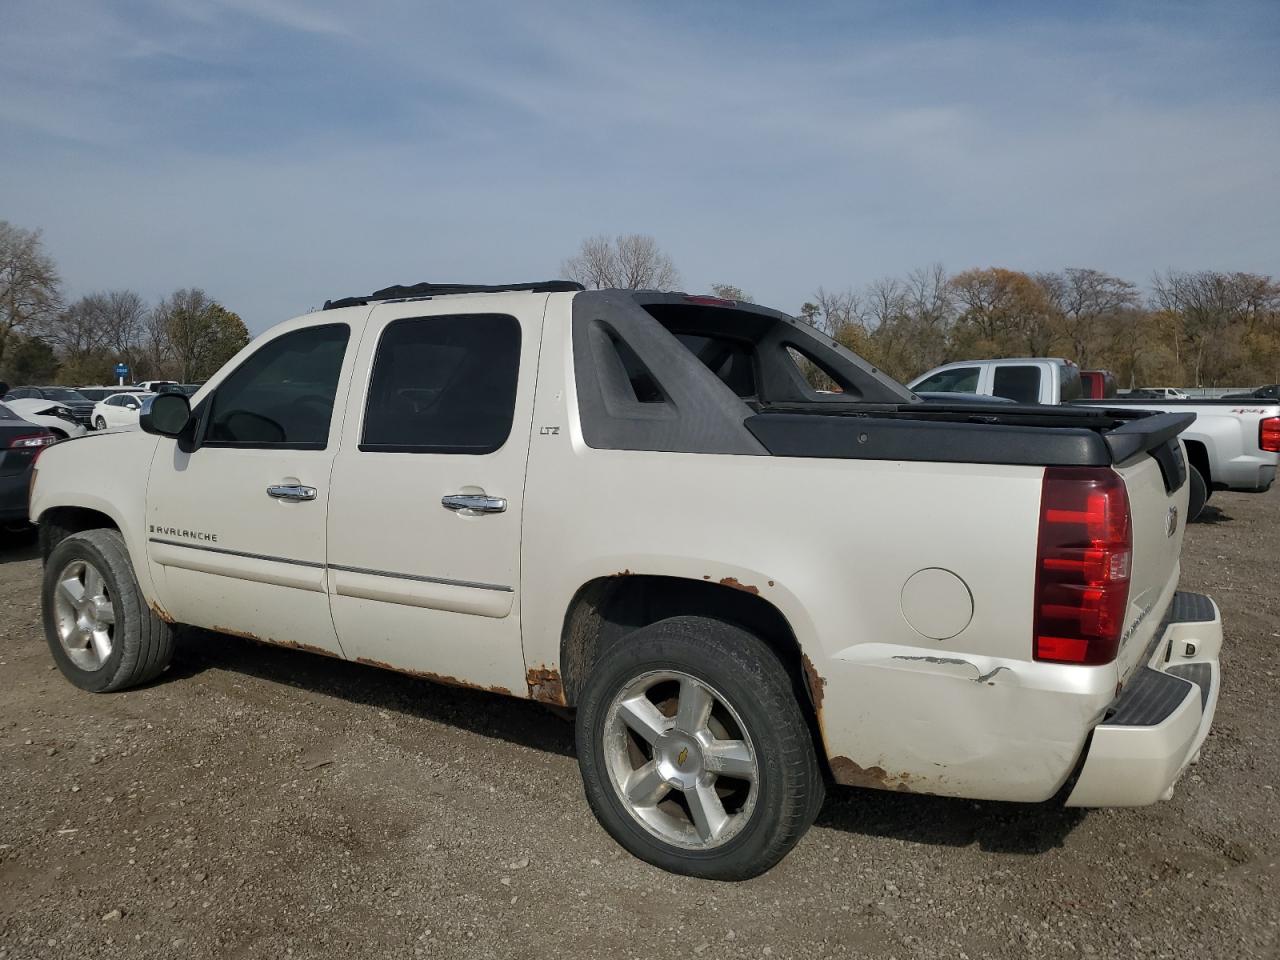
(99, 628)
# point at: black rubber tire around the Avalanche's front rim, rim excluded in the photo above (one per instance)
(141, 643)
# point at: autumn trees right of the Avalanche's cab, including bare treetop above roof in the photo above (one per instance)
(1201, 328)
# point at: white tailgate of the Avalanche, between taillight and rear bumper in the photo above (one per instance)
(1158, 490)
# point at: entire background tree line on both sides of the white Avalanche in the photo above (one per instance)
(1190, 328)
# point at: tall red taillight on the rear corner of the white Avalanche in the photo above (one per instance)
(1082, 566)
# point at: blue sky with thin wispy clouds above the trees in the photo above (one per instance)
(278, 153)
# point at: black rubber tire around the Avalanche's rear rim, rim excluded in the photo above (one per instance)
(756, 684)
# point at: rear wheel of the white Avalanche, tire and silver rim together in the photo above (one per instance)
(694, 752)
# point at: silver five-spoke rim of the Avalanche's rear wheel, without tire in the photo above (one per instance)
(680, 760)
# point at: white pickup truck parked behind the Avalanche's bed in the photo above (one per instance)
(1232, 446)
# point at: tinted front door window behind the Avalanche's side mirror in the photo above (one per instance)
(284, 395)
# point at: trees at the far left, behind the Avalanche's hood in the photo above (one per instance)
(185, 337)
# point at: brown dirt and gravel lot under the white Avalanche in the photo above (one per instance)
(264, 803)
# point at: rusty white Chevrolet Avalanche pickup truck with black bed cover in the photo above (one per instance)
(636, 505)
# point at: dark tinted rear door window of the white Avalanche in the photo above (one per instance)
(444, 385)
